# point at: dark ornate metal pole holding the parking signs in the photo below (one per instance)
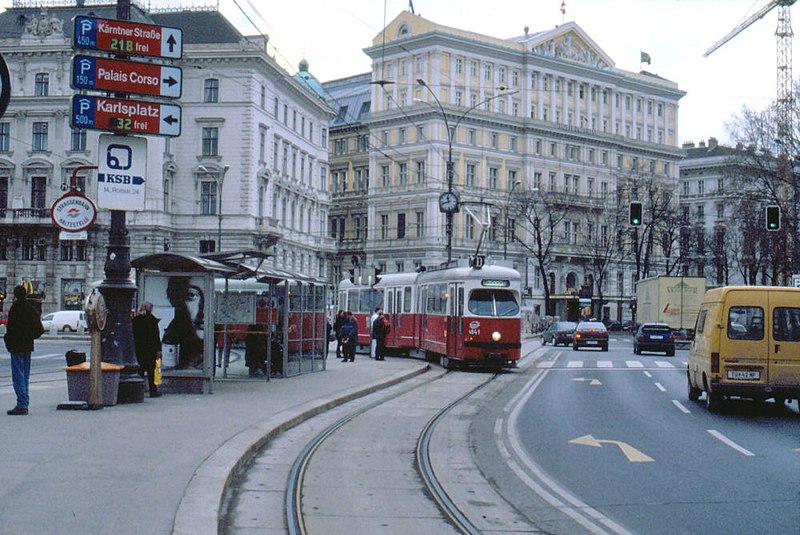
(118, 291)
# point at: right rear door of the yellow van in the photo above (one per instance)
(784, 349)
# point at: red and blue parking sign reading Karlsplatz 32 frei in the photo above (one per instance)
(125, 116)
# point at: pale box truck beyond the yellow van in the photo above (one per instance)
(671, 300)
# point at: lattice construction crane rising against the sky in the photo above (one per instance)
(783, 33)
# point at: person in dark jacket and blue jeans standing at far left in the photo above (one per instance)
(24, 326)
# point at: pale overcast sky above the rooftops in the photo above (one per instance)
(331, 35)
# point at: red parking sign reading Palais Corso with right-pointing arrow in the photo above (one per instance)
(126, 77)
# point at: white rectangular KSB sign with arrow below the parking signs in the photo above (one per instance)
(121, 172)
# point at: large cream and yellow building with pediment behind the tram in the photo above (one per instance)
(547, 115)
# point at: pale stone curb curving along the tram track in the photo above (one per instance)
(199, 510)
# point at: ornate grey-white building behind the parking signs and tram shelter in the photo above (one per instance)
(249, 170)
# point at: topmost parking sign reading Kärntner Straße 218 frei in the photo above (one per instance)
(124, 37)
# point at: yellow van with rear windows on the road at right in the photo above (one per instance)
(747, 344)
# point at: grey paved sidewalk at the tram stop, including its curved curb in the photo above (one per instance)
(160, 466)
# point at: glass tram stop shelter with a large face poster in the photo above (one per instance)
(264, 322)
